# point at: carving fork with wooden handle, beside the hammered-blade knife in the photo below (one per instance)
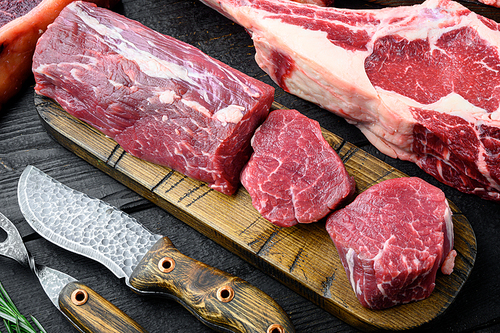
(86, 310)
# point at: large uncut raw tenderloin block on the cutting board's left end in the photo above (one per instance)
(162, 100)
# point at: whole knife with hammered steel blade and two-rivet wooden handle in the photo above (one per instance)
(149, 263)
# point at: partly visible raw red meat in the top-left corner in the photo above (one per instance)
(21, 24)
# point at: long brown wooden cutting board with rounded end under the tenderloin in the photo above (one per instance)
(302, 257)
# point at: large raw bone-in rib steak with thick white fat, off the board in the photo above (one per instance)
(421, 82)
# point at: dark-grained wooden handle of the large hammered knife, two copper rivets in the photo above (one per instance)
(220, 300)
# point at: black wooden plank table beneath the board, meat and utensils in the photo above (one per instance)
(23, 141)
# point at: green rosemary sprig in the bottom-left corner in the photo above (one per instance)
(14, 321)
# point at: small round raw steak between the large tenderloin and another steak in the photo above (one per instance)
(294, 175)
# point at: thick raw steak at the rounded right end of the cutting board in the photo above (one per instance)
(392, 239)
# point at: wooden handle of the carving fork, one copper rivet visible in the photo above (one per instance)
(92, 313)
